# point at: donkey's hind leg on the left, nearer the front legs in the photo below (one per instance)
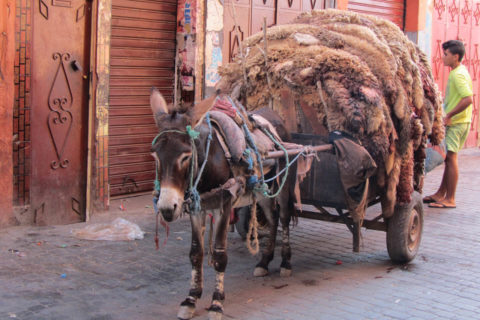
(261, 269)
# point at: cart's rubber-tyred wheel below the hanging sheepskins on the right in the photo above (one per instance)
(405, 230)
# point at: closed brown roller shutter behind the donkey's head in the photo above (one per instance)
(142, 55)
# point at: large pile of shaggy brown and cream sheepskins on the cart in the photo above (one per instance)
(362, 76)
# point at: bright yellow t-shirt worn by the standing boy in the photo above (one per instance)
(459, 86)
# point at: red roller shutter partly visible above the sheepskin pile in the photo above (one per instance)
(392, 10)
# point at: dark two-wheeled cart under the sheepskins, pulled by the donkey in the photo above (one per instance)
(323, 199)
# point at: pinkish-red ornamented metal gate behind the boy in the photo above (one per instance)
(458, 19)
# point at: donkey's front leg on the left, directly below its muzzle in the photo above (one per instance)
(187, 307)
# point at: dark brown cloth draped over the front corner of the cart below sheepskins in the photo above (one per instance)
(355, 166)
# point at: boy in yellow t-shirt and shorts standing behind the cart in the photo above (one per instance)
(457, 119)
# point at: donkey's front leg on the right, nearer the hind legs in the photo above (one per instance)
(219, 260)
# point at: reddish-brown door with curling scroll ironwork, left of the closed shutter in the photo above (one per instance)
(60, 66)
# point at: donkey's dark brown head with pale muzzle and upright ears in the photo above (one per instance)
(172, 150)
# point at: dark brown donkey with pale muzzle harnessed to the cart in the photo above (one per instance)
(173, 152)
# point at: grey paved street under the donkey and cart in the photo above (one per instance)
(46, 273)
